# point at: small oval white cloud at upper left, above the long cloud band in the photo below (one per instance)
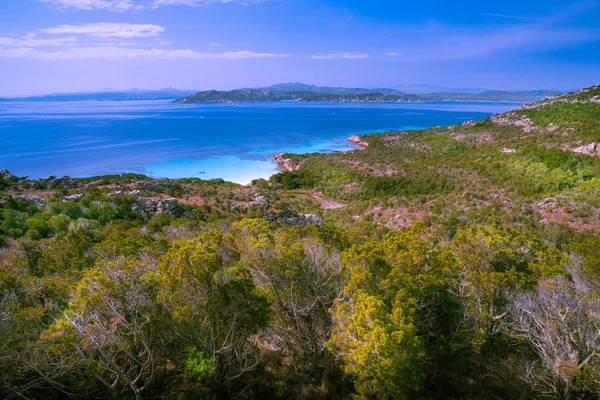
(108, 30)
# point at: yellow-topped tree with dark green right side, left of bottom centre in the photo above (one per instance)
(216, 307)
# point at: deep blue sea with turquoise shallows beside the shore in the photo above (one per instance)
(162, 139)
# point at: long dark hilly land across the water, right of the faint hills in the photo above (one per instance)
(311, 93)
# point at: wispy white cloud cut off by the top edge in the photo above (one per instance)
(134, 5)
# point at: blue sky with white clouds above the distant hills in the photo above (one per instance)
(52, 46)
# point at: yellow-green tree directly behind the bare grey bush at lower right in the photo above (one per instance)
(490, 263)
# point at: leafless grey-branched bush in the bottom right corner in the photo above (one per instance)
(561, 322)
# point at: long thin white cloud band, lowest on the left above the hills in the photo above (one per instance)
(127, 53)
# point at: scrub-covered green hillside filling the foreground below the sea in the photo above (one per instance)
(457, 262)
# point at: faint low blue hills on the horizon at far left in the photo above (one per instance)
(110, 95)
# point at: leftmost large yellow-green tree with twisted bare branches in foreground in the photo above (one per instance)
(110, 331)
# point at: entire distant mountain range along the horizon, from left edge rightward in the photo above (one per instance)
(303, 92)
